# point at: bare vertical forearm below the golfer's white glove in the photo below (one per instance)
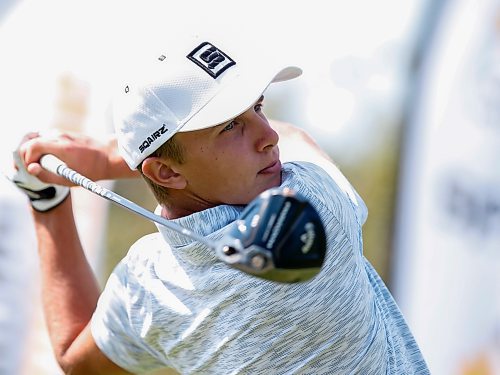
(69, 288)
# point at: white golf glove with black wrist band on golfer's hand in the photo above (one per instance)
(43, 196)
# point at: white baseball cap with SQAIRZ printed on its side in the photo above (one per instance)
(194, 84)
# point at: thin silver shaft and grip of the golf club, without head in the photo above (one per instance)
(57, 166)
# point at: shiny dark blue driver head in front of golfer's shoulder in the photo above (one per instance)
(279, 236)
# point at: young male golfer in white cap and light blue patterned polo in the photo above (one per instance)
(192, 123)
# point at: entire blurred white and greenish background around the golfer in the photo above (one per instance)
(404, 96)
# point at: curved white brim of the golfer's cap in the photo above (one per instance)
(236, 97)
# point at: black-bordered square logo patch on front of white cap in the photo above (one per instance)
(210, 59)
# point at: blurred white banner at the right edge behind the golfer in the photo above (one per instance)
(447, 273)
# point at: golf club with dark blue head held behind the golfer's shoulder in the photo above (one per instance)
(279, 236)
